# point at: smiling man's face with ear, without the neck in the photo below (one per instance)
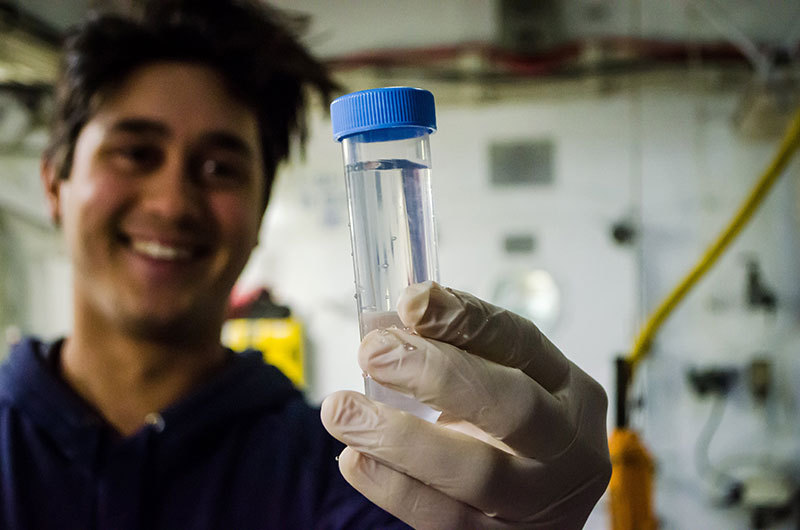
(163, 203)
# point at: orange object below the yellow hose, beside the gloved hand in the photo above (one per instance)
(631, 485)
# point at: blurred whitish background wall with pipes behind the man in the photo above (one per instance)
(588, 151)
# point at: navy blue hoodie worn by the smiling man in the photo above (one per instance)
(245, 451)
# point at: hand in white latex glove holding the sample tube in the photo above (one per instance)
(521, 442)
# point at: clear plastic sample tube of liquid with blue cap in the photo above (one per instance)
(384, 134)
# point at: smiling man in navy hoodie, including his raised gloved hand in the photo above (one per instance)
(168, 131)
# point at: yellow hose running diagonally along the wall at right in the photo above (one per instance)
(789, 145)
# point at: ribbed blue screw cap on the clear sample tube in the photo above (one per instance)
(382, 108)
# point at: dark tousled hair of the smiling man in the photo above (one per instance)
(255, 48)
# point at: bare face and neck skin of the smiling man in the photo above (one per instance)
(160, 211)
